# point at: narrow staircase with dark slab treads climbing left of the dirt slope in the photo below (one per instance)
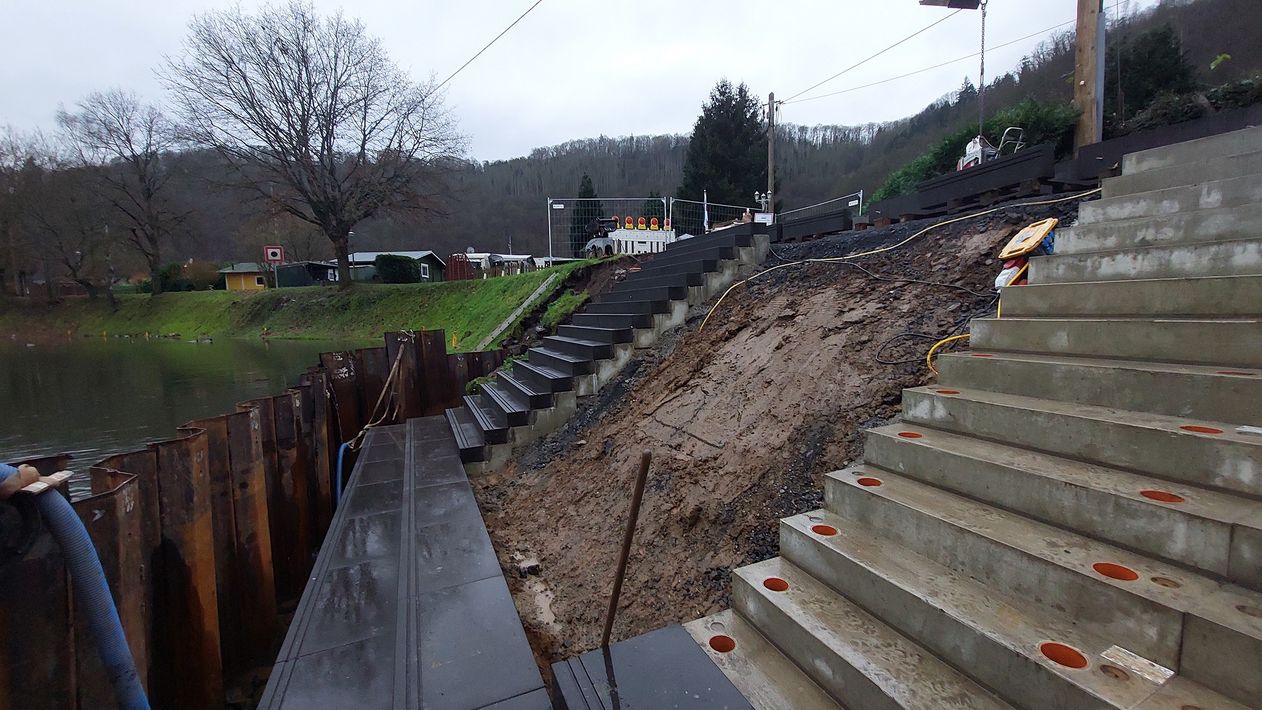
(540, 393)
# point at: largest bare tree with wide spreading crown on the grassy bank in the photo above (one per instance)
(314, 117)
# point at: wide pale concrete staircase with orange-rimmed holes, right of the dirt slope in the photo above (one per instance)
(1073, 516)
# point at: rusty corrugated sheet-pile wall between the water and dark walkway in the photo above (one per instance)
(208, 537)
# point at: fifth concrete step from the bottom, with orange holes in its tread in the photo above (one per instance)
(1215, 533)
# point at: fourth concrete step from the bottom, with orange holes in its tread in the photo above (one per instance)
(1173, 617)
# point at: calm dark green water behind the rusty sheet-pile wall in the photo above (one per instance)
(93, 397)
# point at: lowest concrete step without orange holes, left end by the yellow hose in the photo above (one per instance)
(1225, 342)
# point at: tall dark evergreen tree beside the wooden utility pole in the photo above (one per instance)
(728, 154)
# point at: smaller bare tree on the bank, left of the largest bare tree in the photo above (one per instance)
(127, 144)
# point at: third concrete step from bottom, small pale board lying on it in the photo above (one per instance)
(1004, 641)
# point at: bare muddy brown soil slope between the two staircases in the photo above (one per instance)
(744, 419)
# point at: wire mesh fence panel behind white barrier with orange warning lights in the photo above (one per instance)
(572, 223)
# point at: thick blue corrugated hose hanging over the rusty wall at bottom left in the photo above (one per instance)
(93, 596)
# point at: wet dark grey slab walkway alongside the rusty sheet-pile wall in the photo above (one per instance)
(407, 606)
